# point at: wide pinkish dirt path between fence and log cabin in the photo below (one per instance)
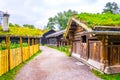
(54, 65)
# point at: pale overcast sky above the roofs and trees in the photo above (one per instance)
(37, 12)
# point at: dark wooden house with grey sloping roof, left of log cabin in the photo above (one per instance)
(56, 39)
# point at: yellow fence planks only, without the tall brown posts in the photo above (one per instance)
(16, 56)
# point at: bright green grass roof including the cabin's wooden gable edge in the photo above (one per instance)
(90, 20)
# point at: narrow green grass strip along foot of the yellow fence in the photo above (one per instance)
(10, 75)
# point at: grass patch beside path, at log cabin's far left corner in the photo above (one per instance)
(64, 49)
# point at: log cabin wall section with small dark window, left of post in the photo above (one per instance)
(80, 43)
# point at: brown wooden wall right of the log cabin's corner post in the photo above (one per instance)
(114, 50)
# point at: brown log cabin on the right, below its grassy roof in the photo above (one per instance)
(96, 46)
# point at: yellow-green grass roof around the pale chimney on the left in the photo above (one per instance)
(20, 31)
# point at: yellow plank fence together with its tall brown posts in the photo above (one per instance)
(10, 58)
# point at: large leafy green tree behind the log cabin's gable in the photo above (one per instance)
(60, 20)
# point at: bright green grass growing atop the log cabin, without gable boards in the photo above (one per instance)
(106, 19)
